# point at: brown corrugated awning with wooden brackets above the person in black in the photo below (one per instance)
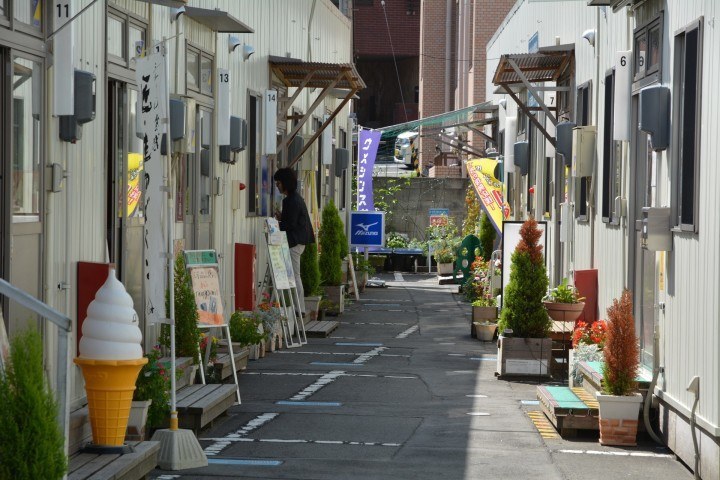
(340, 80)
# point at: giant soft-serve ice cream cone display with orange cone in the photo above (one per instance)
(110, 357)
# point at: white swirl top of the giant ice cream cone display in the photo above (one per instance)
(110, 331)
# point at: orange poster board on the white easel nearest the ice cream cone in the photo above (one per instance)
(204, 274)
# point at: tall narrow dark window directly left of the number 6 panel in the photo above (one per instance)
(610, 164)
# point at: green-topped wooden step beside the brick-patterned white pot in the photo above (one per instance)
(569, 410)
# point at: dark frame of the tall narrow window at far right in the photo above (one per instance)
(679, 195)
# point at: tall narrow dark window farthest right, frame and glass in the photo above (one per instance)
(686, 121)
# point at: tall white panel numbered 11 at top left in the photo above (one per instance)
(63, 57)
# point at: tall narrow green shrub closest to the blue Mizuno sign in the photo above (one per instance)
(333, 248)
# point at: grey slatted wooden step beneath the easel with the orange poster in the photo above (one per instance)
(199, 405)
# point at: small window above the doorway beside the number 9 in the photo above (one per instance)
(647, 51)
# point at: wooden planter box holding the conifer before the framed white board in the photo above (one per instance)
(524, 357)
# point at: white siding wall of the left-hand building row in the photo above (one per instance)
(281, 28)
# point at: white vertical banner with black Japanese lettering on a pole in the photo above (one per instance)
(151, 77)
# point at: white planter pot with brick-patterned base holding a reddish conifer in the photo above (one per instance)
(619, 419)
